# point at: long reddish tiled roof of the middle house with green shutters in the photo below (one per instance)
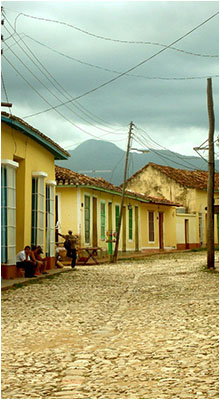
(66, 177)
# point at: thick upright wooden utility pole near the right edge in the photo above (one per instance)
(210, 203)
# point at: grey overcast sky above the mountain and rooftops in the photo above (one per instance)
(47, 65)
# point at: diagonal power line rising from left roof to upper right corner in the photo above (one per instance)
(127, 71)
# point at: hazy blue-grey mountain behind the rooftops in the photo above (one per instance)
(98, 158)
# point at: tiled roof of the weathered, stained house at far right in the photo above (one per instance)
(194, 179)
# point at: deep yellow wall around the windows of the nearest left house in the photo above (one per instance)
(31, 156)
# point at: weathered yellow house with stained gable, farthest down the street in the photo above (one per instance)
(182, 186)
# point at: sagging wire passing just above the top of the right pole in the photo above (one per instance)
(118, 72)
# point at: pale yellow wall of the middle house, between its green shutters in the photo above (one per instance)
(72, 217)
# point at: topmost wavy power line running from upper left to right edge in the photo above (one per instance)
(110, 39)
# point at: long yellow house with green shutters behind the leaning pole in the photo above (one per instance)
(90, 207)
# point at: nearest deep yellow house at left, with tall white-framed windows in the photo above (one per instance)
(27, 189)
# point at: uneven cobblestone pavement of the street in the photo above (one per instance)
(145, 329)
